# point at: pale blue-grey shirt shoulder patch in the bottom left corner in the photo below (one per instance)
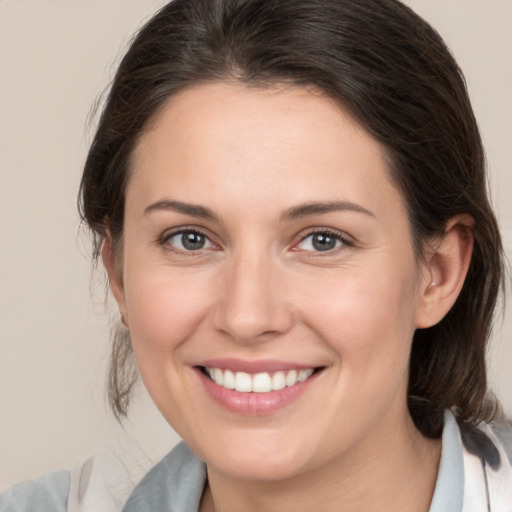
(39, 495)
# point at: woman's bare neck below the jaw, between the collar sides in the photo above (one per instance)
(396, 466)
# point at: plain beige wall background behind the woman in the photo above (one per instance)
(55, 56)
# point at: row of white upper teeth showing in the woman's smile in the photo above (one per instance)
(258, 383)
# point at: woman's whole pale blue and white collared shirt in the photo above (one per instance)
(474, 476)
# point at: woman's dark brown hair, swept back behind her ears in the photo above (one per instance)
(393, 72)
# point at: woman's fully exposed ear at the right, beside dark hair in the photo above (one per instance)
(445, 270)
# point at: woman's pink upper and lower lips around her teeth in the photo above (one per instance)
(254, 404)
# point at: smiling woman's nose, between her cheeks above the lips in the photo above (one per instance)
(252, 306)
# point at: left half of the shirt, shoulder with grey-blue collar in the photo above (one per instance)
(111, 482)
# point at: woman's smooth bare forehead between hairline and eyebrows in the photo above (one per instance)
(224, 141)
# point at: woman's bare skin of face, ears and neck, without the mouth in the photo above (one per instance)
(259, 290)
